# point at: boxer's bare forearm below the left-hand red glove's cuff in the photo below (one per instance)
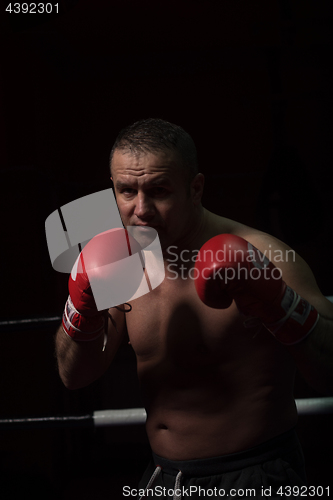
(79, 363)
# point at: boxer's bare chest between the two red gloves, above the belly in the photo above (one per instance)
(172, 323)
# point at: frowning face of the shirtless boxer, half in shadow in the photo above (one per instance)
(152, 190)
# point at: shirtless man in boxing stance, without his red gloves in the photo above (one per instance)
(218, 395)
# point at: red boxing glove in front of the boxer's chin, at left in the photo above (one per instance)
(81, 319)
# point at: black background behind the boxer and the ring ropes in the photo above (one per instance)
(251, 81)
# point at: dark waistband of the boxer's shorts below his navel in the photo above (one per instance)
(268, 450)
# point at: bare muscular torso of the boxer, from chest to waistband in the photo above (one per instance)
(209, 385)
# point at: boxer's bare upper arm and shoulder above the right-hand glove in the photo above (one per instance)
(295, 271)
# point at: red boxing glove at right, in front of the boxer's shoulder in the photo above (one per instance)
(230, 268)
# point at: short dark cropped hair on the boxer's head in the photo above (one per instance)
(154, 134)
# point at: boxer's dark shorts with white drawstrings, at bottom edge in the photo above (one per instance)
(274, 469)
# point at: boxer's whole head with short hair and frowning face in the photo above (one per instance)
(156, 180)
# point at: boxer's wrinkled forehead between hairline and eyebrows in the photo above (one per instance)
(146, 165)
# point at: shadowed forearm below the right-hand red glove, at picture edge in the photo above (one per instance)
(314, 357)
